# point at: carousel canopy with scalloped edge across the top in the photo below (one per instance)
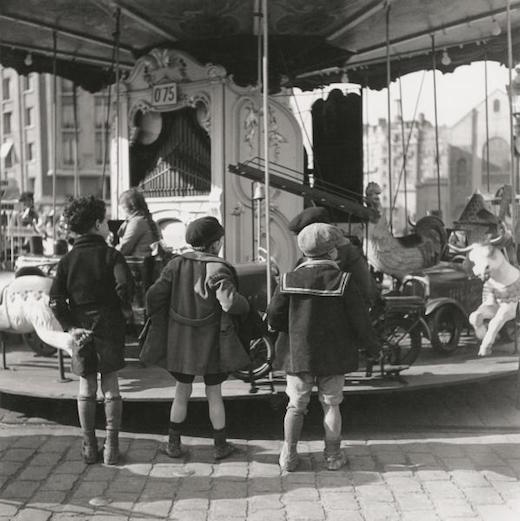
(312, 43)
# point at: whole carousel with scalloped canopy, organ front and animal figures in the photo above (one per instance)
(201, 119)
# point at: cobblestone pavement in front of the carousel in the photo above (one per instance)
(398, 469)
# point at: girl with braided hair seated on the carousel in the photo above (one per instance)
(139, 231)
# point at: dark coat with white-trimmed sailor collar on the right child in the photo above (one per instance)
(322, 319)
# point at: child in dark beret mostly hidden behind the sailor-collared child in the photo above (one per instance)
(350, 258)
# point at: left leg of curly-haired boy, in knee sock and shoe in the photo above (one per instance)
(87, 416)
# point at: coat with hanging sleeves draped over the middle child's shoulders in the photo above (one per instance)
(191, 305)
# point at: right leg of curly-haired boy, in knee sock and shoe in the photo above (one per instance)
(113, 415)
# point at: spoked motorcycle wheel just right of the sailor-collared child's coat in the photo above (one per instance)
(402, 337)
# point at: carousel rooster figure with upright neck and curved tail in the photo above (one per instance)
(401, 256)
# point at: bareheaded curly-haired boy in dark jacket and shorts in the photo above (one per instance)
(89, 296)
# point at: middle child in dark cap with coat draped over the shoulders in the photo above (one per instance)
(197, 295)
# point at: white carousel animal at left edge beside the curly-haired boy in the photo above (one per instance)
(24, 308)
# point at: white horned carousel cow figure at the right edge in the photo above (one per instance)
(501, 292)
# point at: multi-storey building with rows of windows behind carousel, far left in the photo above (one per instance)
(26, 135)
